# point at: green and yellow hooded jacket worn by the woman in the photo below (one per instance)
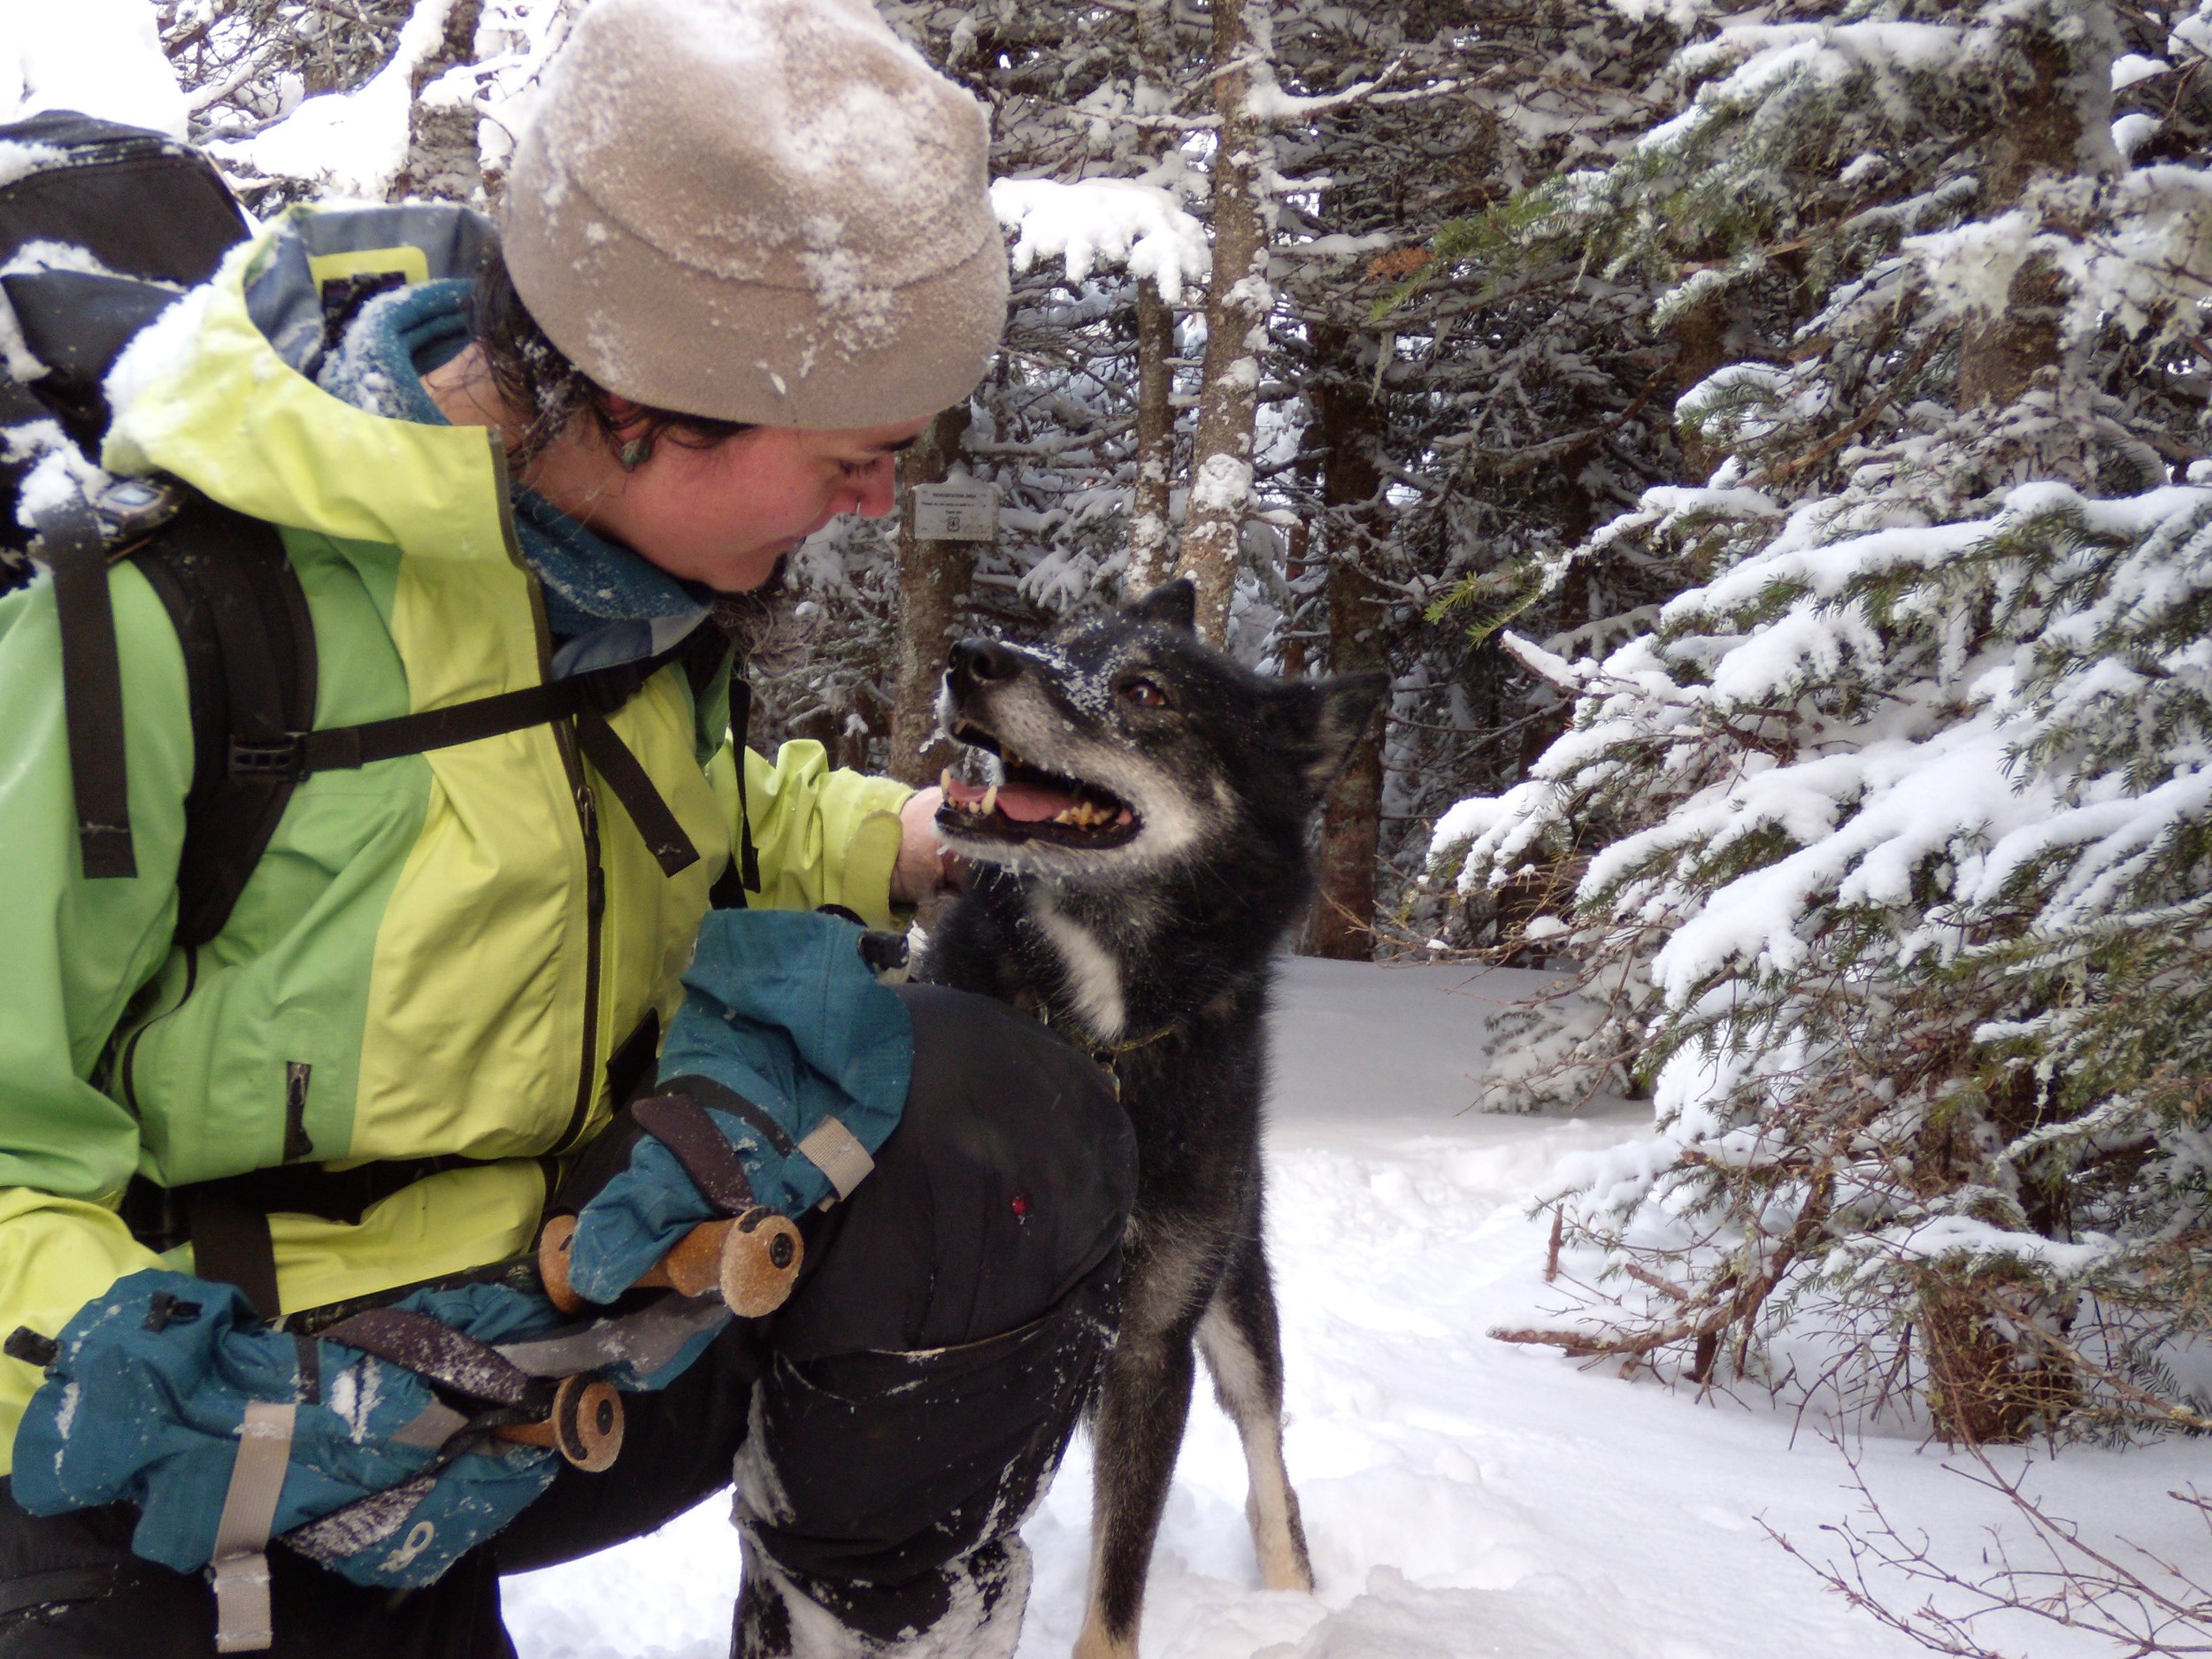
(417, 961)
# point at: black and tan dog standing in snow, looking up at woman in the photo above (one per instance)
(1140, 859)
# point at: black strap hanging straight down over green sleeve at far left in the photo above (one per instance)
(70, 543)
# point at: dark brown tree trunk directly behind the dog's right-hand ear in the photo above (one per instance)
(1350, 428)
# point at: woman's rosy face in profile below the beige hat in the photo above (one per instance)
(727, 514)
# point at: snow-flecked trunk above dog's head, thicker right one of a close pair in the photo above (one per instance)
(1238, 309)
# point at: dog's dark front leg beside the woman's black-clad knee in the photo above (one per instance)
(1138, 1432)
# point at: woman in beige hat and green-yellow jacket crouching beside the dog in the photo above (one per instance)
(744, 258)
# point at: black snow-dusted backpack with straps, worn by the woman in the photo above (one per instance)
(101, 229)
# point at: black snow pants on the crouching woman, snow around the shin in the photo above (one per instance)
(888, 1430)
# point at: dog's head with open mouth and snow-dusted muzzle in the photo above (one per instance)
(1127, 744)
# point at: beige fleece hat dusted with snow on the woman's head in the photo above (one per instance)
(764, 211)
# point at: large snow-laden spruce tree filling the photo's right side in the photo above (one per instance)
(1888, 839)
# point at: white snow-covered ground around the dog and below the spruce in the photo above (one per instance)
(1461, 1496)
